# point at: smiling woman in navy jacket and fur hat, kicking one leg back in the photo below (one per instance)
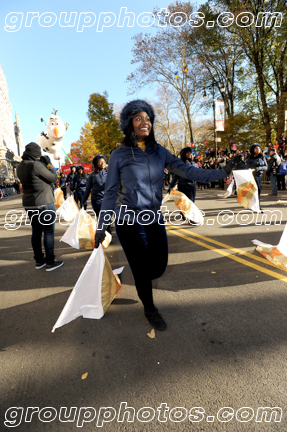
(133, 194)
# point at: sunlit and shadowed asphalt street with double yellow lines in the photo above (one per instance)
(225, 346)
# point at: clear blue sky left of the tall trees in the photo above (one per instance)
(59, 67)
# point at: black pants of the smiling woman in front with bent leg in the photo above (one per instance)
(146, 250)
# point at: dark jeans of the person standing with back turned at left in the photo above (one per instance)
(43, 221)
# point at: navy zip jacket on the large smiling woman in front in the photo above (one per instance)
(135, 179)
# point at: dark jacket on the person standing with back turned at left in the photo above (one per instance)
(36, 181)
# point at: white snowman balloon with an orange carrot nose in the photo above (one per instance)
(51, 141)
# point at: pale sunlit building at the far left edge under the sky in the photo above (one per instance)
(11, 144)
